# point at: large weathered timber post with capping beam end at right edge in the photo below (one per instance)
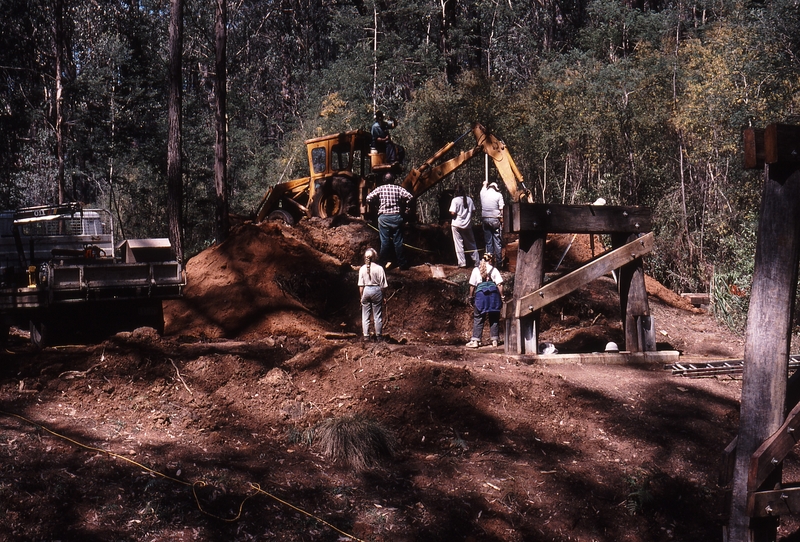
(757, 499)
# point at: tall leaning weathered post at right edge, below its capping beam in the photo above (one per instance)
(767, 340)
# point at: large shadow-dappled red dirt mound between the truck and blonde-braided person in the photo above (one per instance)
(261, 281)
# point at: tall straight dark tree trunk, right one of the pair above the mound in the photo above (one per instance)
(220, 119)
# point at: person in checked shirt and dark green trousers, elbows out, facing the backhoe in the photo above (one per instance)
(392, 199)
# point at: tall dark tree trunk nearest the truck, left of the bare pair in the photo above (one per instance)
(174, 144)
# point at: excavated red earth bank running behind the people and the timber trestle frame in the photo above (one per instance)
(272, 280)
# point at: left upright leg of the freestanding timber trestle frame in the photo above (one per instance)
(521, 334)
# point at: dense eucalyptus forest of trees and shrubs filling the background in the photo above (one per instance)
(639, 102)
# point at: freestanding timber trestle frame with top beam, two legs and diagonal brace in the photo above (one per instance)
(631, 238)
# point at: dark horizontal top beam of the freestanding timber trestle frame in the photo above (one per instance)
(552, 218)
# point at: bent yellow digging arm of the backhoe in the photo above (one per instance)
(422, 178)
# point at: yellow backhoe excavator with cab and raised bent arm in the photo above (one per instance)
(343, 170)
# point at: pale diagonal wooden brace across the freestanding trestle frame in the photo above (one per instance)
(557, 289)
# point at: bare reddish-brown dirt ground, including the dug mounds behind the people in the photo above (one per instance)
(206, 433)
